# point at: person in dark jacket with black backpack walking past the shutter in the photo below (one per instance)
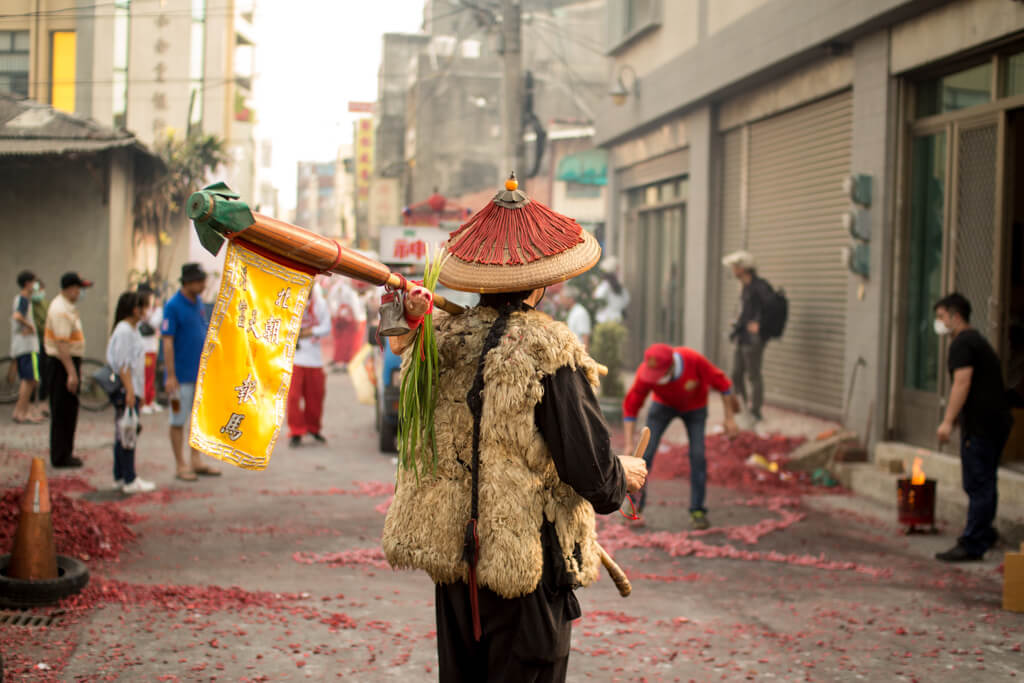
(762, 317)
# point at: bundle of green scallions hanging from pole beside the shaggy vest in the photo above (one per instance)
(417, 445)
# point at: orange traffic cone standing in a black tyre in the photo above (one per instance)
(34, 556)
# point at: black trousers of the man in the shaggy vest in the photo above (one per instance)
(526, 641)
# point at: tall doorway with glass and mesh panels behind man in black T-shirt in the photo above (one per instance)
(954, 243)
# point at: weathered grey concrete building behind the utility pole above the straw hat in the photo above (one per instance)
(454, 133)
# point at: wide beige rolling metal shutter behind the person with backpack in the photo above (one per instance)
(798, 161)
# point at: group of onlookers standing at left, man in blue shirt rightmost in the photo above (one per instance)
(49, 346)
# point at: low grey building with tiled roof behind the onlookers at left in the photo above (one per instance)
(68, 196)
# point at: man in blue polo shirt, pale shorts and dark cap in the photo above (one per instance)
(184, 332)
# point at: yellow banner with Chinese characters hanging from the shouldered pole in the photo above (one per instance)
(246, 368)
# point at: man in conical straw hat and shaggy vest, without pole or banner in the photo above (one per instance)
(505, 524)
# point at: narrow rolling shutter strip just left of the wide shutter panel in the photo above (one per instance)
(732, 240)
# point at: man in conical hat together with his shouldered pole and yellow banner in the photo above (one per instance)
(502, 516)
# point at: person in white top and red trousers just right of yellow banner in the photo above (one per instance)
(306, 399)
